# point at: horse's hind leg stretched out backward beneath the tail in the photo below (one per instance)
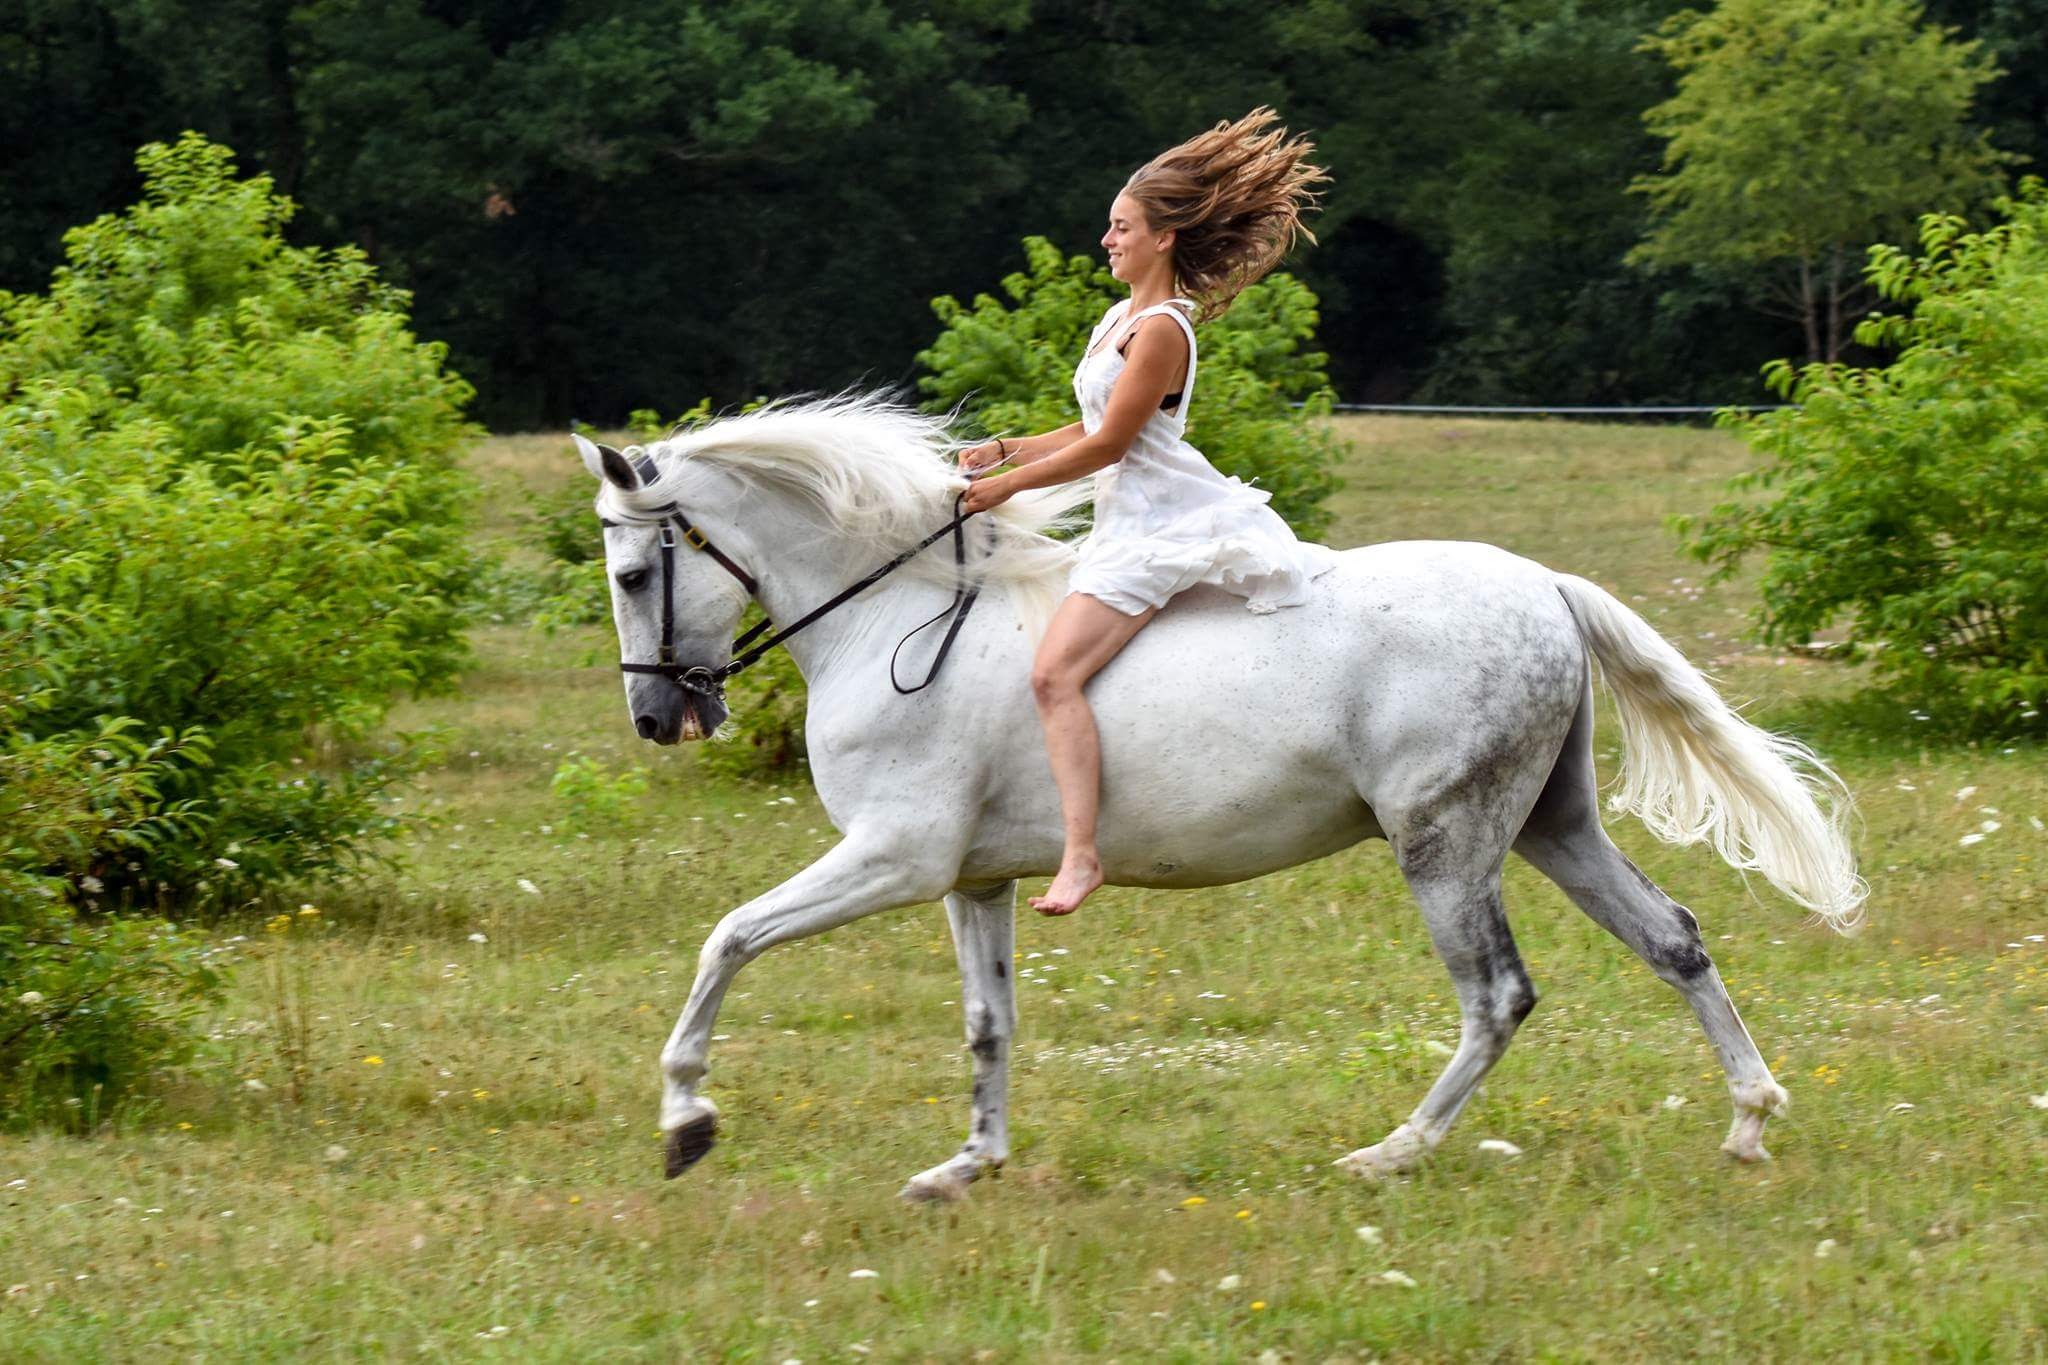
(1564, 840)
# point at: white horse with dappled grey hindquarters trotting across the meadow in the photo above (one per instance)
(1433, 695)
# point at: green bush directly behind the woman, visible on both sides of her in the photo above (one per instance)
(1013, 371)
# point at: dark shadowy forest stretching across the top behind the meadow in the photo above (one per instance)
(607, 206)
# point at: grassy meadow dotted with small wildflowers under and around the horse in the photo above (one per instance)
(425, 1122)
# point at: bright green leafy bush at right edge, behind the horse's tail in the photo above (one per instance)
(1910, 504)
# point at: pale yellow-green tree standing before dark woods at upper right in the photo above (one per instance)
(1801, 132)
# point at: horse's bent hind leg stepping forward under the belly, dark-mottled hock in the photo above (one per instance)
(1469, 928)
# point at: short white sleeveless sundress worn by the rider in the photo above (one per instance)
(1166, 519)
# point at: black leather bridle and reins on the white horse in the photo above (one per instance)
(751, 648)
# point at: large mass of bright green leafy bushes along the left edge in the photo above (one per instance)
(228, 541)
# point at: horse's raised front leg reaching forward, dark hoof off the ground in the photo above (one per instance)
(855, 879)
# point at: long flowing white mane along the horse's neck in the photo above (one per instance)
(886, 474)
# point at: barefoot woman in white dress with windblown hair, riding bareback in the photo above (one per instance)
(1205, 220)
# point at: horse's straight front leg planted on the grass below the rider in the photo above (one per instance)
(984, 932)
